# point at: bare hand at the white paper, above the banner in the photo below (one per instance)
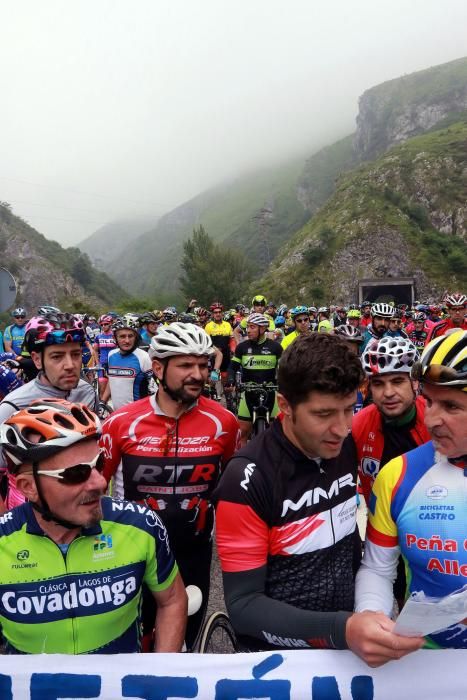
(370, 636)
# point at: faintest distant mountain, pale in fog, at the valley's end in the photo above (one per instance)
(106, 244)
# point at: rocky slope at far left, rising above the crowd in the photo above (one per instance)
(46, 273)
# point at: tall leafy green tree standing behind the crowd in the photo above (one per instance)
(212, 271)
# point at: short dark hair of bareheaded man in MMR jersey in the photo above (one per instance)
(318, 362)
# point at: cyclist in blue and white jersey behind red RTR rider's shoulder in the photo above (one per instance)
(129, 367)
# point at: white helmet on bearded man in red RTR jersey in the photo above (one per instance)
(180, 339)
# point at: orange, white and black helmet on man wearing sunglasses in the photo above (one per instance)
(58, 423)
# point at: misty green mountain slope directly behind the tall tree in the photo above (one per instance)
(255, 213)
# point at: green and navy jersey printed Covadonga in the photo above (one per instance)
(87, 600)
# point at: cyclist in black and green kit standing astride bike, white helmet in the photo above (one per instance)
(257, 359)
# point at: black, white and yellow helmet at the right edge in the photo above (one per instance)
(444, 361)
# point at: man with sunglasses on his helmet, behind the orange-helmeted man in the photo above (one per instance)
(55, 345)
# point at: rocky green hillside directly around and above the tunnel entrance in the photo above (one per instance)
(404, 214)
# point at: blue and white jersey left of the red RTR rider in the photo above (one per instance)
(129, 376)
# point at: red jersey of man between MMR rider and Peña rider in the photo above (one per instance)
(370, 434)
